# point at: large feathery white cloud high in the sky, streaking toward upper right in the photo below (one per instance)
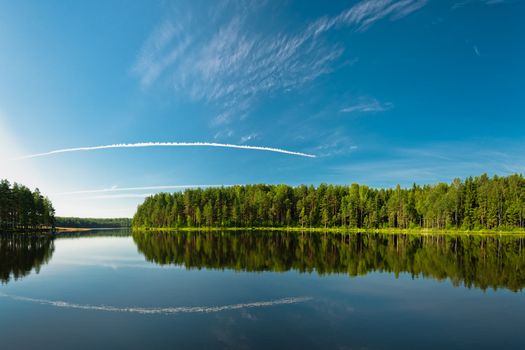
(227, 64)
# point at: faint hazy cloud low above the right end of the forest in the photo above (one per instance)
(437, 162)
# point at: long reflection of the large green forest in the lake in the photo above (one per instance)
(474, 261)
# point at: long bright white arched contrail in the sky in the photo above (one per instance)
(167, 144)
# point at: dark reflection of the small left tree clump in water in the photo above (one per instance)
(20, 254)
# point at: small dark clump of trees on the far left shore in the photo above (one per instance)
(23, 209)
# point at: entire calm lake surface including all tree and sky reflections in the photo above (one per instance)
(259, 290)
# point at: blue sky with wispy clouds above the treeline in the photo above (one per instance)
(381, 92)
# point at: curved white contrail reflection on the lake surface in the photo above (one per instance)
(164, 311)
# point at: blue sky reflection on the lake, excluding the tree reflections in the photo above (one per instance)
(372, 311)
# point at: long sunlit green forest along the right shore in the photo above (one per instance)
(480, 202)
